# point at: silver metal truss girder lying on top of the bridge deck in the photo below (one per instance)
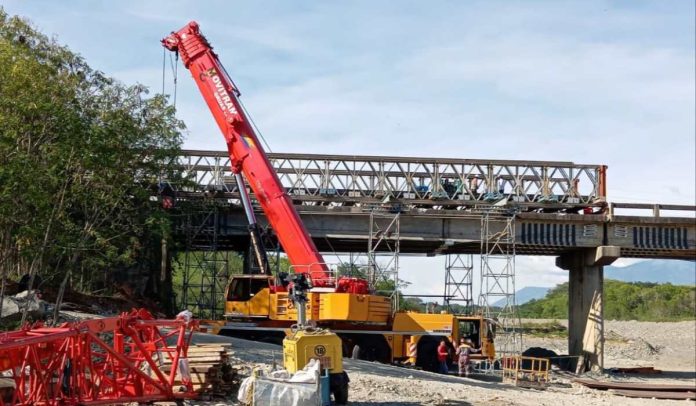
(345, 178)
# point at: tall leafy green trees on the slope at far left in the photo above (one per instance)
(78, 151)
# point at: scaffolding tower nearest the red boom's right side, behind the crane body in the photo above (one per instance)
(383, 255)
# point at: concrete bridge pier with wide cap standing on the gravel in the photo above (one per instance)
(586, 281)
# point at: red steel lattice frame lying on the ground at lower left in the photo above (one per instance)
(101, 361)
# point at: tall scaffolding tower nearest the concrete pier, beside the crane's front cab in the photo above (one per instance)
(497, 298)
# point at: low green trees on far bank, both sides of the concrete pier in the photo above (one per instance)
(623, 301)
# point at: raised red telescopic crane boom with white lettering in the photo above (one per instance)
(248, 157)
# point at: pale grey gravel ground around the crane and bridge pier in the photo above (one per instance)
(384, 385)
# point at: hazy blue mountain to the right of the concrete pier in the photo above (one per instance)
(656, 271)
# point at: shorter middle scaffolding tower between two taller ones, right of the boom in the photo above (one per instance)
(459, 269)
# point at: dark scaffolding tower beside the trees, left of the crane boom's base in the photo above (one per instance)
(205, 266)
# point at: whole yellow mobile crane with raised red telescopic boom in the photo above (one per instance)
(260, 304)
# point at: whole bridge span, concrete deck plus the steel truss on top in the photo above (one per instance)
(560, 207)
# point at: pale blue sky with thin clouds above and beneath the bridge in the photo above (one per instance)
(596, 82)
